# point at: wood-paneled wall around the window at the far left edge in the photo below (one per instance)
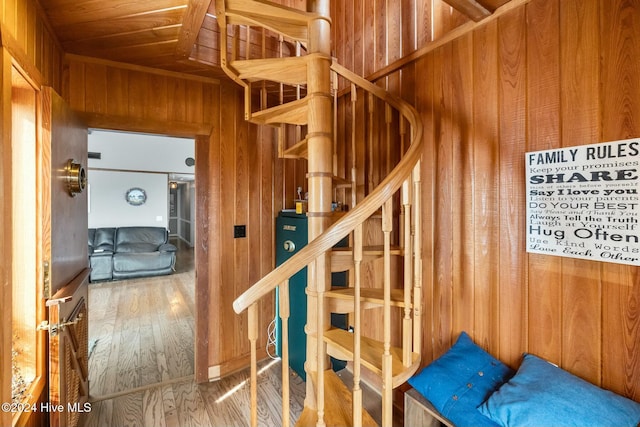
(27, 43)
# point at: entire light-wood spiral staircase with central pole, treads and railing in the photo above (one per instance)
(299, 89)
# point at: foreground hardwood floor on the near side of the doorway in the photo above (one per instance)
(185, 403)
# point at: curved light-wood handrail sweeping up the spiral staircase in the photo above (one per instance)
(332, 235)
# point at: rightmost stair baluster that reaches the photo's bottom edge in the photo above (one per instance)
(387, 374)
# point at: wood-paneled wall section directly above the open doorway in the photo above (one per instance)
(124, 97)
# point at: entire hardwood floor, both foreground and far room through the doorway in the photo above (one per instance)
(141, 363)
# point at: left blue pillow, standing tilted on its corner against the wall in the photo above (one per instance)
(460, 380)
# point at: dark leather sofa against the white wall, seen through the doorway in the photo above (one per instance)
(129, 252)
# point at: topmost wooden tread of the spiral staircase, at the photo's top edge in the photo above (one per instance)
(284, 20)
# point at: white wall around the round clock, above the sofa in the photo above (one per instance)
(109, 208)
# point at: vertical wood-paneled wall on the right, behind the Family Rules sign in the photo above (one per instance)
(546, 74)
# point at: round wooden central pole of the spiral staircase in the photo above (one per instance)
(320, 167)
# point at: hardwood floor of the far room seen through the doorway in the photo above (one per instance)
(141, 332)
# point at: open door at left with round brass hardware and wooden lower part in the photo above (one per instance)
(65, 245)
